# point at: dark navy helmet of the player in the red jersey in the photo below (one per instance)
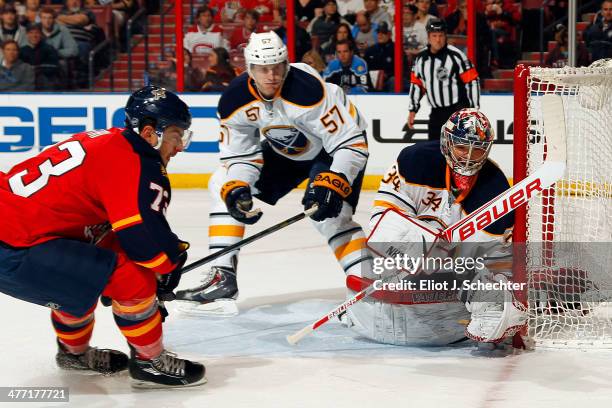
(163, 107)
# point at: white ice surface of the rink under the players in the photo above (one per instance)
(286, 281)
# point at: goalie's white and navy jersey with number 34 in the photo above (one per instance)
(419, 184)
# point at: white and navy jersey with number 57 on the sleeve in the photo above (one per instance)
(307, 116)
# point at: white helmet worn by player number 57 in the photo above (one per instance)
(265, 49)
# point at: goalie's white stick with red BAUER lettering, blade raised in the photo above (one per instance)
(519, 194)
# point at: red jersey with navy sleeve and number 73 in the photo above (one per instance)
(94, 177)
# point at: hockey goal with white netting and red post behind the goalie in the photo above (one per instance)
(568, 229)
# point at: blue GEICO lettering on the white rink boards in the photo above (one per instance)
(36, 126)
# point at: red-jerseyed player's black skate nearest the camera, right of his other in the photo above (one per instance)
(165, 371)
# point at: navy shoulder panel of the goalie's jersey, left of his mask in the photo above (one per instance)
(423, 164)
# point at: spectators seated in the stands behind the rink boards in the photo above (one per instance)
(350, 42)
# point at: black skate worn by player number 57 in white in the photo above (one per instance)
(216, 295)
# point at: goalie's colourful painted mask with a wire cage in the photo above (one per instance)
(465, 140)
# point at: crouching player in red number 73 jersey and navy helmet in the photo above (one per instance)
(86, 217)
